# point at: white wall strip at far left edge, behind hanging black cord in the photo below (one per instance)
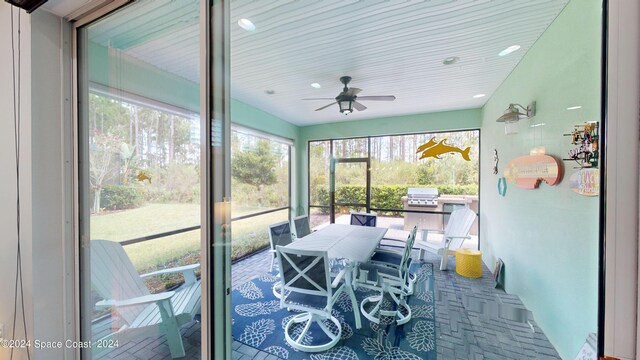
(8, 180)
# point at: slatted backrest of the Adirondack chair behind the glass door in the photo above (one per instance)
(114, 277)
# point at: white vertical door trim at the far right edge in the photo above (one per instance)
(621, 196)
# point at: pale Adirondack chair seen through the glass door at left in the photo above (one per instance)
(144, 314)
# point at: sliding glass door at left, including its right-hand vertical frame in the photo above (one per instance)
(154, 181)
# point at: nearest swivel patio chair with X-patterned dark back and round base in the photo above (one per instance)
(307, 287)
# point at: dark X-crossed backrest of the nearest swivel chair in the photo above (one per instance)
(304, 271)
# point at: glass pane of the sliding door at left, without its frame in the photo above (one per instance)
(141, 176)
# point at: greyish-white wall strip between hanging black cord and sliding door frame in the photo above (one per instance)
(51, 184)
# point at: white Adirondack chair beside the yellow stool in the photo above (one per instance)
(456, 231)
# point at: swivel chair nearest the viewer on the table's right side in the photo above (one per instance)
(387, 280)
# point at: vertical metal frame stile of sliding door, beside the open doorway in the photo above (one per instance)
(215, 121)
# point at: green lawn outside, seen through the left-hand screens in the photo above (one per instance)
(248, 235)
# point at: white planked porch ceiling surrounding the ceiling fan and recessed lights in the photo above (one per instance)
(388, 47)
